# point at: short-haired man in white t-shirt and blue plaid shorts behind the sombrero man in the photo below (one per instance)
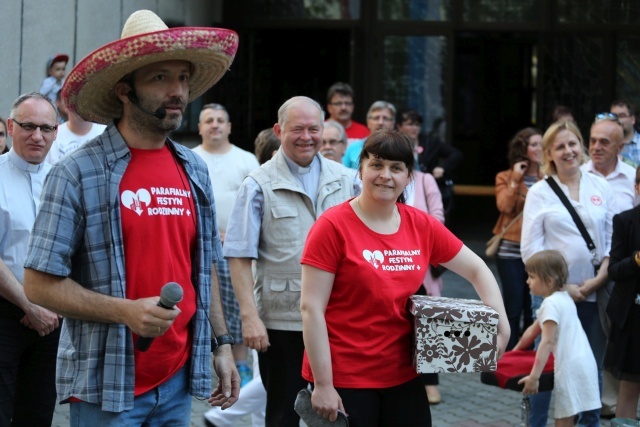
(228, 167)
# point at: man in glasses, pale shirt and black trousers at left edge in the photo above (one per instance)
(28, 333)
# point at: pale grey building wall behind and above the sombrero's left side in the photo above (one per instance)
(34, 30)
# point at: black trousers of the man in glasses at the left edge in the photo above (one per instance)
(27, 373)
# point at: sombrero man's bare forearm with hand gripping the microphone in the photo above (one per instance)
(66, 297)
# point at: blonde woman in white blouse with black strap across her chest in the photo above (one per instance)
(548, 225)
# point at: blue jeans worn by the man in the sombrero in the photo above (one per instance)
(169, 404)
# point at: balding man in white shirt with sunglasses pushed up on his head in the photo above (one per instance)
(605, 144)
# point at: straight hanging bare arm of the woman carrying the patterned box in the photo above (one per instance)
(316, 290)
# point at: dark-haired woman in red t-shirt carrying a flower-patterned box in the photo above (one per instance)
(362, 261)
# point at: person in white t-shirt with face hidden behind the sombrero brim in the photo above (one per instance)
(71, 135)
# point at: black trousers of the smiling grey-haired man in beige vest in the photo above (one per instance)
(280, 369)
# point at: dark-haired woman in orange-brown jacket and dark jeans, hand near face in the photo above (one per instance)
(512, 185)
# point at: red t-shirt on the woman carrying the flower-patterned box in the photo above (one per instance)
(369, 326)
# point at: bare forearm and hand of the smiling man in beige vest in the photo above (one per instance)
(254, 333)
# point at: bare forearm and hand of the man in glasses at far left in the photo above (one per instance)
(37, 318)
